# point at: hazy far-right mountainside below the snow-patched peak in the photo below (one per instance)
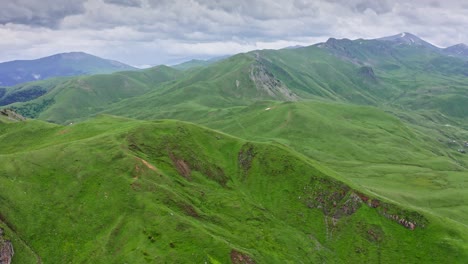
(412, 73)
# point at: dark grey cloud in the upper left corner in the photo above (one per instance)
(45, 13)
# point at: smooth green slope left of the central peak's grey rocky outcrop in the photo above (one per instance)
(197, 93)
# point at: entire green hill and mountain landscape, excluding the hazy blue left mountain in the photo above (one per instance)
(345, 151)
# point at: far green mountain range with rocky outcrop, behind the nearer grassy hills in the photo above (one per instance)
(371, 72)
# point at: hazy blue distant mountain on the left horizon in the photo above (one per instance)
(59, 65)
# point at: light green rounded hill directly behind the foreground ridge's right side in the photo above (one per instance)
(409, 164)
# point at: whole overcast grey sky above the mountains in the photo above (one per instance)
(151, 32)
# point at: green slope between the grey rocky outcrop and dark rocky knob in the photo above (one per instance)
(315, 73)
